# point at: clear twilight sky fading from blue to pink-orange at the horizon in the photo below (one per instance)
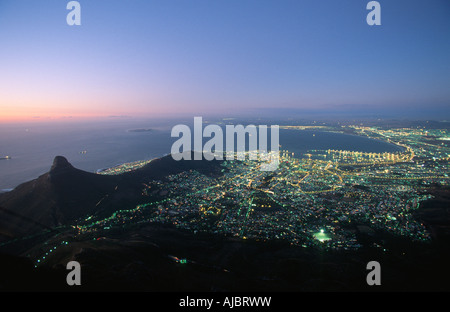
(225, 57)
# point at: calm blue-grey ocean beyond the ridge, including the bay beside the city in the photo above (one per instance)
(91, 146)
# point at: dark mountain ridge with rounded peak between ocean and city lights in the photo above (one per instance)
(65, 194)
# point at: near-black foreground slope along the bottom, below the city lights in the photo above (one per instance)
(144, 259)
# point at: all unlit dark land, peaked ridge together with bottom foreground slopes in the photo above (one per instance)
(156, 257)
